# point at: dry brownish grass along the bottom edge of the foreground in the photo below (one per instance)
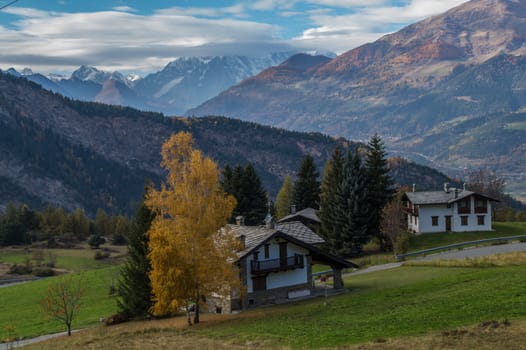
(169, 335)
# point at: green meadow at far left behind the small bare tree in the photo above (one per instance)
(21, 311)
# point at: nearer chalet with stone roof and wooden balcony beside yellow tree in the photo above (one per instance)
(276, 263)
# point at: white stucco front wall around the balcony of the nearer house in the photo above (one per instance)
(282, 278)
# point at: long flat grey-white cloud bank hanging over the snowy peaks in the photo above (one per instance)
(121, 40)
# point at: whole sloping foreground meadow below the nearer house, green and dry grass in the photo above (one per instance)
(388, 307)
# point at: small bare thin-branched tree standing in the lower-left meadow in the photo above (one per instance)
(63, 299)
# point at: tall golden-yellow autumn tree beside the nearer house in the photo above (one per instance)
(191, 257)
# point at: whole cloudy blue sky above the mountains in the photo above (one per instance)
(142, 36)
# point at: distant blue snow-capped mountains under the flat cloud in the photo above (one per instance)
(184, 83)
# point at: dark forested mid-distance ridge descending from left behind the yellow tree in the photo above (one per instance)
(55, 150)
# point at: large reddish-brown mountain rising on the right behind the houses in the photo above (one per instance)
(448, 91)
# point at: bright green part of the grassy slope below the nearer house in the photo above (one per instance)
(406, 301)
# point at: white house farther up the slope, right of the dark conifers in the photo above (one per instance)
(450, 210)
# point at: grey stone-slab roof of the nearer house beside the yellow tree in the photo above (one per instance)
(295, 232)
